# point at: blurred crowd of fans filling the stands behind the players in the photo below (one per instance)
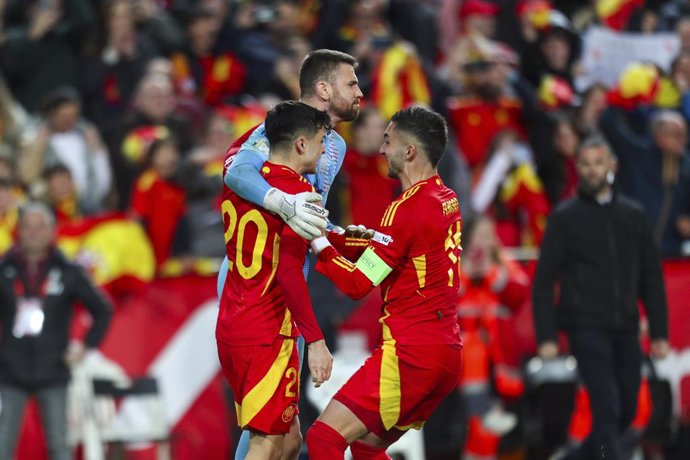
(118, 114)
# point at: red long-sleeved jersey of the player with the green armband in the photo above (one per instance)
(419, 238)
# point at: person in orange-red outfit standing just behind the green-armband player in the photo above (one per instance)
(492, 289)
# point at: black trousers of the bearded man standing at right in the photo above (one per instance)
(609, 365)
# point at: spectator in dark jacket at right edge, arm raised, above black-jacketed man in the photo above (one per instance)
(656, 173)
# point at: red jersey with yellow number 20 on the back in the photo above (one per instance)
(265, 270)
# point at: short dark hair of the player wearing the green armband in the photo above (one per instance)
(428, 127)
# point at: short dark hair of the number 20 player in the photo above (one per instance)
(290, 119)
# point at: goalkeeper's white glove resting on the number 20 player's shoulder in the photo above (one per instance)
(302, 212)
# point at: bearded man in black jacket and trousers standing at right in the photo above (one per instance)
(600, 248)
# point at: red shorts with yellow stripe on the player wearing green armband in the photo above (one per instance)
(399, 387)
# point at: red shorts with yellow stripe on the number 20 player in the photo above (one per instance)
(265, 384)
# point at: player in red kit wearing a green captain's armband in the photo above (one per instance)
(414, 256)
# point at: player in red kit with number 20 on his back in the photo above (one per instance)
(266, 293)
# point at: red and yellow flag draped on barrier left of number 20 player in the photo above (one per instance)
(114, 248)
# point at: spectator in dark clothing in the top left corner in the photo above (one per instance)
(41, 45)
